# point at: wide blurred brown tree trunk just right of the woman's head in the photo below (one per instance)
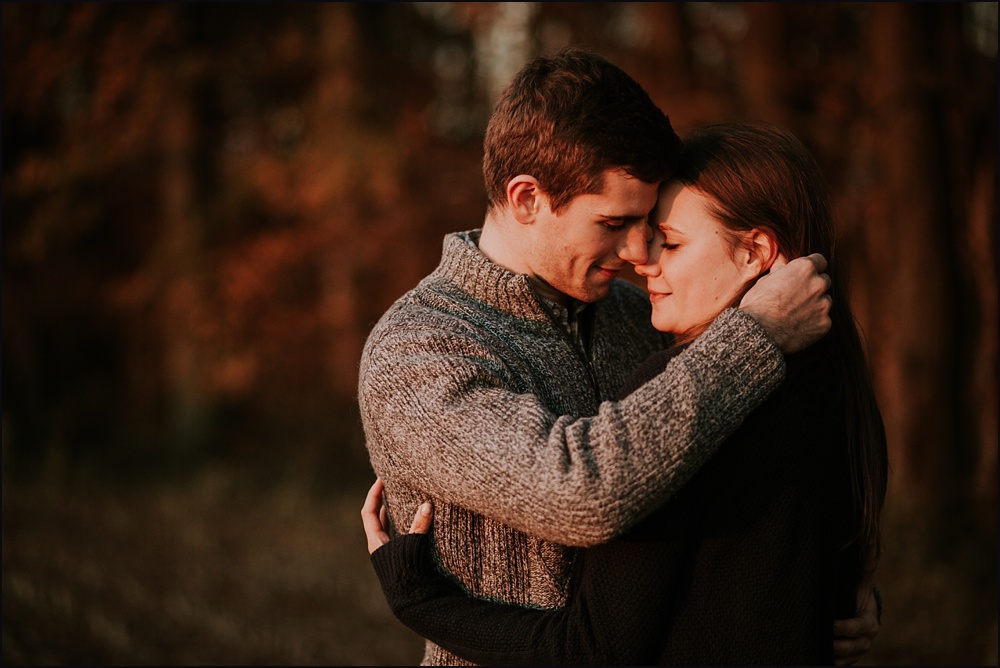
(913, 306)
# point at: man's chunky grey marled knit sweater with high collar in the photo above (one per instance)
(473, 398)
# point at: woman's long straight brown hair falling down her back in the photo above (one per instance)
(760, 176)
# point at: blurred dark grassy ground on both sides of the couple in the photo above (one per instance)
(218, 570)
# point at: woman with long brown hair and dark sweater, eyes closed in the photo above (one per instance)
(765, 547)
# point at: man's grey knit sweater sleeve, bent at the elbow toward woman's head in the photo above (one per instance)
(441, 416)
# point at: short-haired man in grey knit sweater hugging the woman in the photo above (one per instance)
(488, 388)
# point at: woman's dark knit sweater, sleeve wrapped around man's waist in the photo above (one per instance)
(739, 568)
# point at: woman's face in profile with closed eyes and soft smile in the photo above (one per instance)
(691, 274)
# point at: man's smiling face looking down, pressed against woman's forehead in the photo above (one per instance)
(582, 248)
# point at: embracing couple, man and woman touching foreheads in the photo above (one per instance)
(692, 474)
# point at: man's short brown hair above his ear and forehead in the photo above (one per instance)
(566, 119)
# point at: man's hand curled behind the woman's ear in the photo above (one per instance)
(792, 302)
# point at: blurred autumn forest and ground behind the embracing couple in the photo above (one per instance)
(207, 206)
